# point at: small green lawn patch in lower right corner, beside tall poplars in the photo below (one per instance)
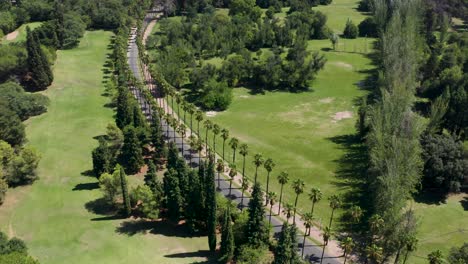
(441, 226)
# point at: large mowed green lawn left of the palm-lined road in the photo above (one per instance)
(51, 215)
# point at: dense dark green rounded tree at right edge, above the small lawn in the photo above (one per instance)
(445, 166)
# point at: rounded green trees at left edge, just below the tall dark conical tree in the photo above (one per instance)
(23, 104)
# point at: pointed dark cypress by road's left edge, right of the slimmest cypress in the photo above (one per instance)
(256, 233)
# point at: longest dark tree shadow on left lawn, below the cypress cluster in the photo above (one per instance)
(132, 227)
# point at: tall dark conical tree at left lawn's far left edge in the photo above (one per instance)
(39, 77)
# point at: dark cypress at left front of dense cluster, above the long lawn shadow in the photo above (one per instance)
(172, 194)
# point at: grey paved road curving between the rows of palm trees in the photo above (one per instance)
(312, 252)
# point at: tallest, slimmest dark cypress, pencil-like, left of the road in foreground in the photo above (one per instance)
(211, 205)
